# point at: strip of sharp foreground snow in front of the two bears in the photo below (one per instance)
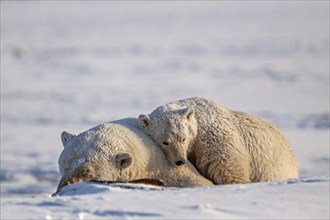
(280, 200)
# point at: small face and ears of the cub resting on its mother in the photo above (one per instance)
(174, 130)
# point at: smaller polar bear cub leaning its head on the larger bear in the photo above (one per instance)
(225, 146)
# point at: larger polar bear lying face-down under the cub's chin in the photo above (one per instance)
(120, 151)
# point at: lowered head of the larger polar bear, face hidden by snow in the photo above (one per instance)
(98, 154)
